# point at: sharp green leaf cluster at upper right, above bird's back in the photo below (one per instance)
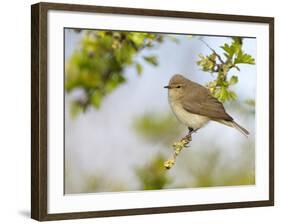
(233, 55)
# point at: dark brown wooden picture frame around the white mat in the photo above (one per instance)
(39, 109)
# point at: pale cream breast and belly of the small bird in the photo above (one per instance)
(189, 119)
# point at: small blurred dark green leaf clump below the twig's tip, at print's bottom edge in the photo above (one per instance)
(153, 175)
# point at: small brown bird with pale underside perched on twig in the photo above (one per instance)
(194, 105)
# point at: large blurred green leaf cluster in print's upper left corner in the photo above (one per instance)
(97, 67)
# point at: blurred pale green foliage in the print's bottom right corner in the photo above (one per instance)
(208, 168)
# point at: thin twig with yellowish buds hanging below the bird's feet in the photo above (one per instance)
(178, 146)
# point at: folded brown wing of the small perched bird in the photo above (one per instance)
(201, 102)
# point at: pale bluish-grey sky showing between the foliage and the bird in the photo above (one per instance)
(102, 141)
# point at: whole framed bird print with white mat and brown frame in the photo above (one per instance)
(139, 111)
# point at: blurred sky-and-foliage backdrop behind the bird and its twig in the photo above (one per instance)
(119, 128)
